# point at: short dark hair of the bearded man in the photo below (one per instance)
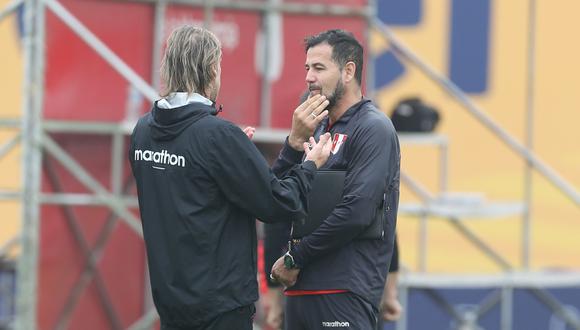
(345, 48)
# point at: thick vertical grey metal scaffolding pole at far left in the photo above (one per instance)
(32, 91)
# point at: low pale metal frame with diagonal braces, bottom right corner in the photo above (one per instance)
(503, 287)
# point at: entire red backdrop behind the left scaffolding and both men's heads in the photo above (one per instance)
(82, 86)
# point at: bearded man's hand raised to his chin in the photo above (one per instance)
(305, 119)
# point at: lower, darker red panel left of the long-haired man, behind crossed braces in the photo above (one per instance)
(61, 258)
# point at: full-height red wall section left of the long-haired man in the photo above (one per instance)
(82, 86)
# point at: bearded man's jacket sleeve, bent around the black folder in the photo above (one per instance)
(369, 155)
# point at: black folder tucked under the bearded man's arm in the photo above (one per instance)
(325, 194)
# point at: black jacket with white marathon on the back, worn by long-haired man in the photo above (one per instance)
(201, 184)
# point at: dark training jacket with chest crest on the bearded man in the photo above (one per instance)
(365, 144)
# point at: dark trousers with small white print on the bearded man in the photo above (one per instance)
(329, 311)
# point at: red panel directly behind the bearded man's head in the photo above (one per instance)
(286, 91)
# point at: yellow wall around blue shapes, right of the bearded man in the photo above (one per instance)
(479, 162)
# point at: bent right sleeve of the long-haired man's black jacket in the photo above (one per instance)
(246, 179)
